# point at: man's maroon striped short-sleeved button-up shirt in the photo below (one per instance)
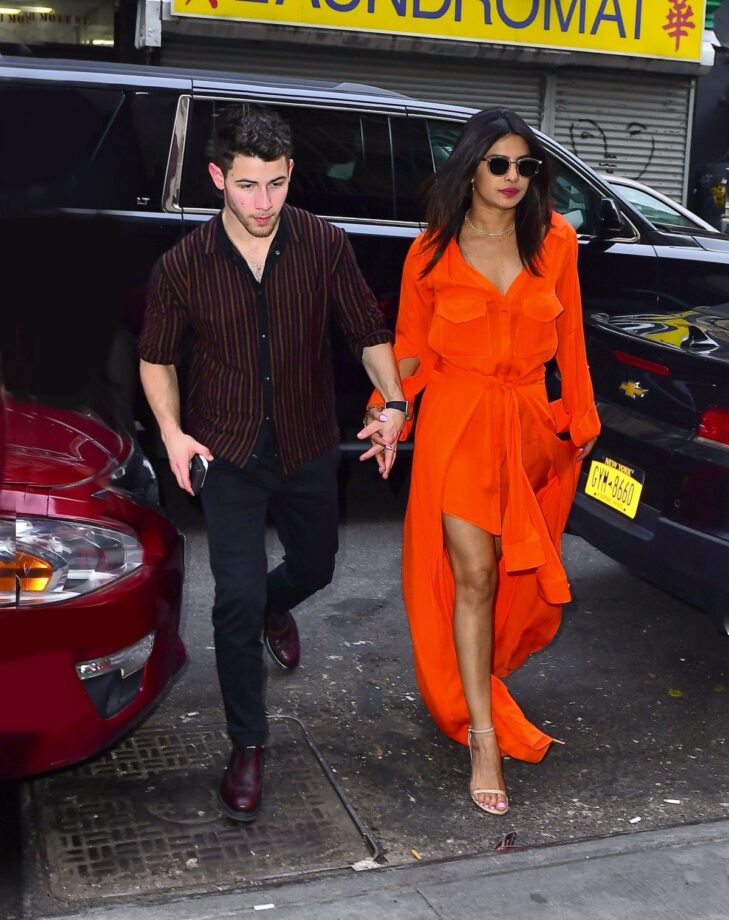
(241, 333)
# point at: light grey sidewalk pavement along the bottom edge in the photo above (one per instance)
(671, 874)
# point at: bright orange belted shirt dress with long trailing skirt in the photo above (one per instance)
(487, 451)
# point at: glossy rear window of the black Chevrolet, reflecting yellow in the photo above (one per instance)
(703, 331)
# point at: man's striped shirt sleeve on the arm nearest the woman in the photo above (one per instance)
(355, 306)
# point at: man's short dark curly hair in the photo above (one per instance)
(251, 131)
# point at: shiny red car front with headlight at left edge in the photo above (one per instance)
(91, 578)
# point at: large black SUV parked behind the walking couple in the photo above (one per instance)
(119, 155)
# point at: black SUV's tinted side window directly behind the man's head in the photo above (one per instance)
(342, 161)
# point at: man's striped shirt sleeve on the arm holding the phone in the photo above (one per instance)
(165, 321)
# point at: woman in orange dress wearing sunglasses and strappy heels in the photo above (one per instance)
(489, 294)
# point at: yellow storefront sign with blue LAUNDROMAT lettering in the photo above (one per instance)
(644, 28)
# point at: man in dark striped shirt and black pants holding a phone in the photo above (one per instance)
(252, 293)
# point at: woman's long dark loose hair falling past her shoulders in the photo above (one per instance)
(449, 193)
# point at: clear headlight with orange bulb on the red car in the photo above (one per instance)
(56, 560)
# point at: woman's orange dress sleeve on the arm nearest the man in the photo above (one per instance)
(414, 318)
